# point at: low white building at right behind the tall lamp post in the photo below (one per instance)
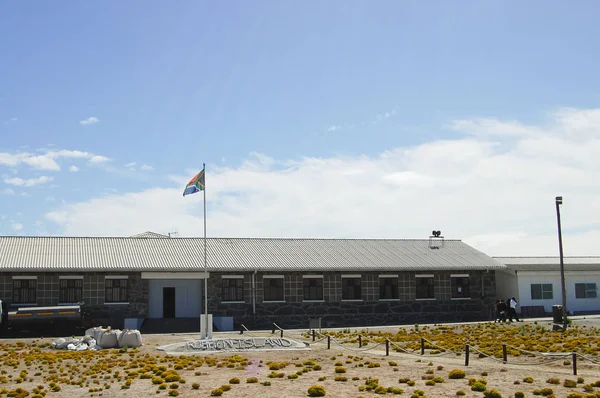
(535, 283)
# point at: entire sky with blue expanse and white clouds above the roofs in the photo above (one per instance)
(336, 119)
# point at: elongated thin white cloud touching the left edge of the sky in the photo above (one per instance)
(48, 159)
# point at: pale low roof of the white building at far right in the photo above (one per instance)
(551, 263)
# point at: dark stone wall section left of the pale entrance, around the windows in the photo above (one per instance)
(99, 312)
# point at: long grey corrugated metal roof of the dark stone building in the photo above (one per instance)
(230, 254)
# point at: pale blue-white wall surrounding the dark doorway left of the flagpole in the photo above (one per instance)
(187, 297)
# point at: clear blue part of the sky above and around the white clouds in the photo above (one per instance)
(172, 85)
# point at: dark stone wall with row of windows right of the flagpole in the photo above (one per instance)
(295, 313)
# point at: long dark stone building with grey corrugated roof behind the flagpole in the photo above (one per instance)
(252, 281)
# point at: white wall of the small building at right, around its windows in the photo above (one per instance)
(525, 279)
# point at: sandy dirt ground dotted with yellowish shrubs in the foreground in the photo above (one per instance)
(498, 376)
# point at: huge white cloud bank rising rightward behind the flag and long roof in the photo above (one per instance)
(498, 196)
